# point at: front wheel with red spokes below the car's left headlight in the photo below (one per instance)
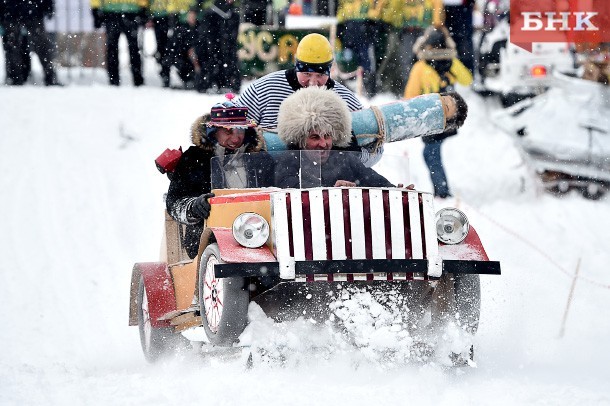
(223, 302)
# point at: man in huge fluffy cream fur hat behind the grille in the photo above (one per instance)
(316, 120)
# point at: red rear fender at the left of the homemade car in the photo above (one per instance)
(159, 291)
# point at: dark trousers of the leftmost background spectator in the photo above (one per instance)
(17, 61)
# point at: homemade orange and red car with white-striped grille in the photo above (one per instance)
(261, 243)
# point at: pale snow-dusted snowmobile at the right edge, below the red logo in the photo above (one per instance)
(564, 135)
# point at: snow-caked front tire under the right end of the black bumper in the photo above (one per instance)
(467, 299)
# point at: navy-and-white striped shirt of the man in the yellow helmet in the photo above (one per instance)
(264, 96)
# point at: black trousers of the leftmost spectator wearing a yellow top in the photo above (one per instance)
(117, 24)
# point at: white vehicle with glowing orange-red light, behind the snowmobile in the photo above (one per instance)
(515, 74)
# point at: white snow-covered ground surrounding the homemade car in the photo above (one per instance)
(82, 201)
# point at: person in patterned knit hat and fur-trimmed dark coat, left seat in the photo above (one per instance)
(229, 136)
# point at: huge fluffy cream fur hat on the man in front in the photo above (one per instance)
(314, 108)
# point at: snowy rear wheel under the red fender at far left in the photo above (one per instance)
(157, 342)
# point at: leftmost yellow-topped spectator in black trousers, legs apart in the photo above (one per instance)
(121, 17)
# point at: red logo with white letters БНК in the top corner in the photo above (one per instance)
(573, 21)
